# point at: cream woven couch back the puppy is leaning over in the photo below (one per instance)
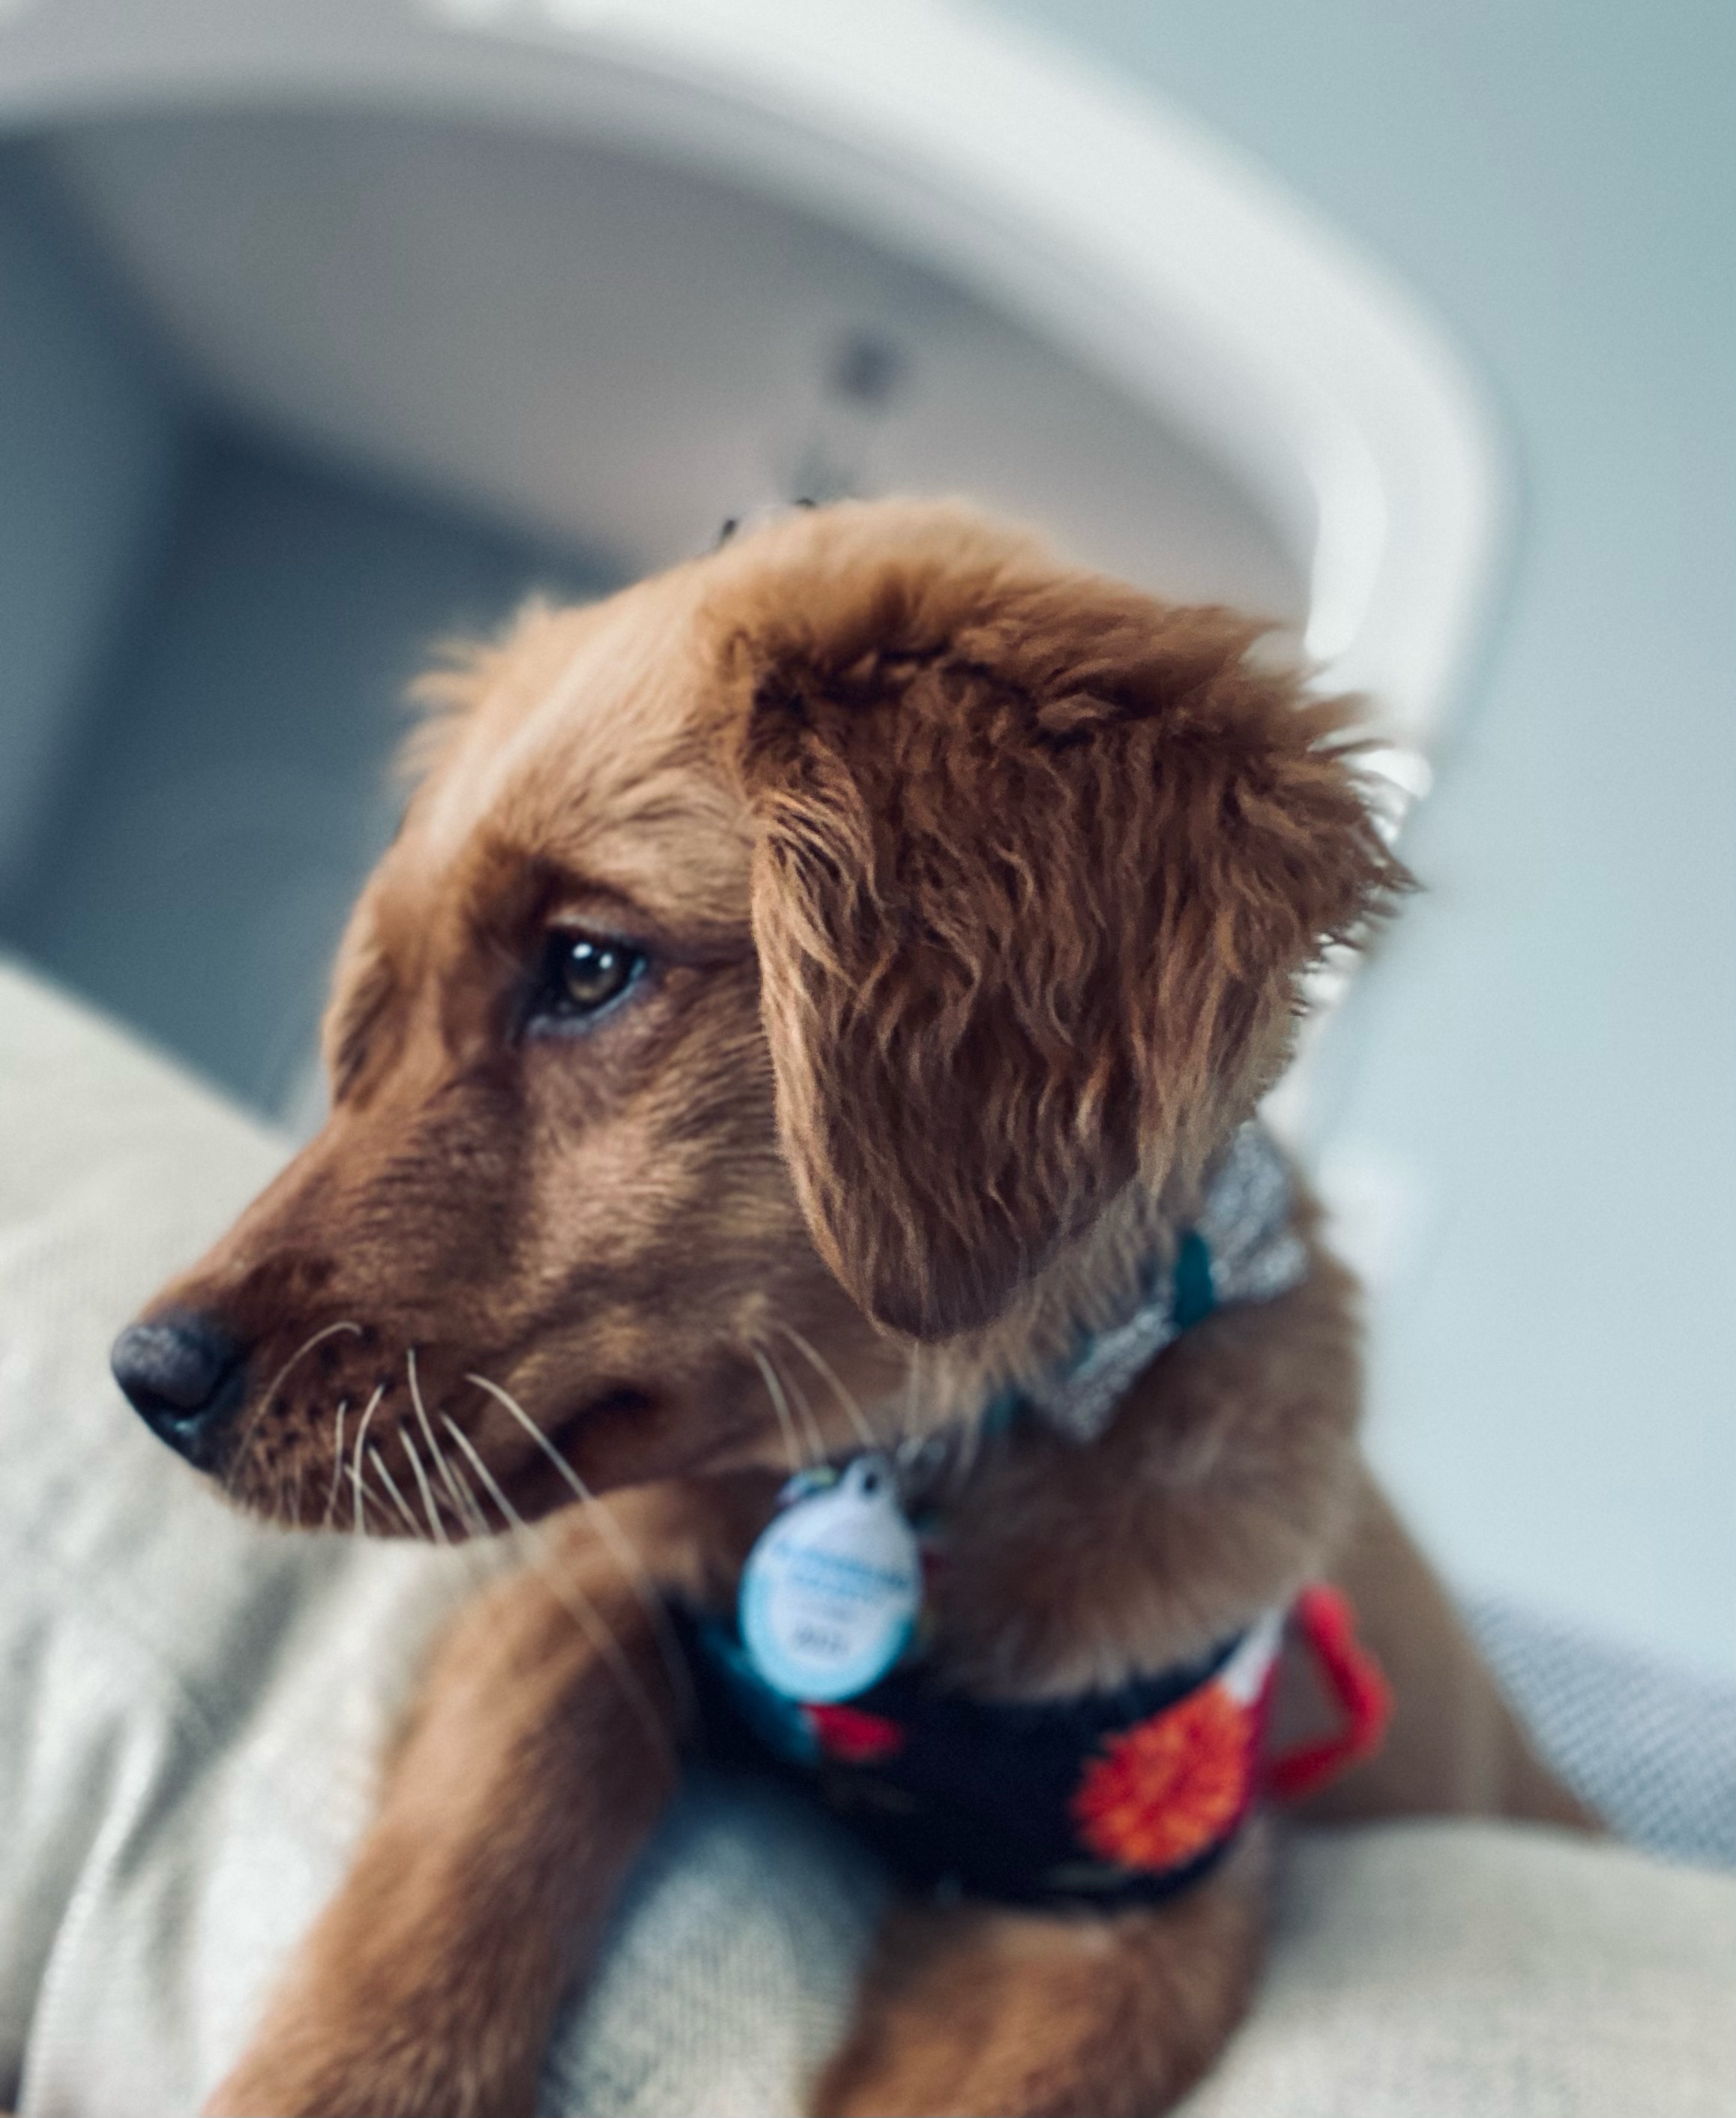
(192, 1706)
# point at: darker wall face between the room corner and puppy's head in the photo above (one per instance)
(232, 787)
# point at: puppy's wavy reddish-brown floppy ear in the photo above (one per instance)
(1038, 865)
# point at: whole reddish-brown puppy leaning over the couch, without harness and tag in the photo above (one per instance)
(806, 992)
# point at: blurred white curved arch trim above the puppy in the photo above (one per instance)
(1106, 223)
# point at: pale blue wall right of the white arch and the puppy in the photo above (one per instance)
(1542, 1085)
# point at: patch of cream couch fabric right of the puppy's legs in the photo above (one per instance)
(1479, 1971)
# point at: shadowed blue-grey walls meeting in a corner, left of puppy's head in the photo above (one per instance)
(202, 656)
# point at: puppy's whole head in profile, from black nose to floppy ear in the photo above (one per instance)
(782, 967)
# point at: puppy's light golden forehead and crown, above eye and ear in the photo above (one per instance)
(594, 740)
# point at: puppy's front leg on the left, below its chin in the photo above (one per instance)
(537, 1763)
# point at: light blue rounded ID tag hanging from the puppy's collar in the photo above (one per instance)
(833, 1587)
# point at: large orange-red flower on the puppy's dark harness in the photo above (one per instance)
(1170, 1787)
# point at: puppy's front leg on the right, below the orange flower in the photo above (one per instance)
(992, 2013)
